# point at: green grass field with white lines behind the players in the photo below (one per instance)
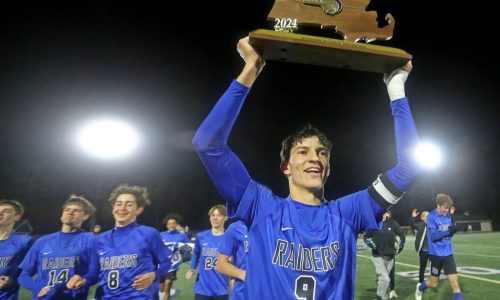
(476, 254)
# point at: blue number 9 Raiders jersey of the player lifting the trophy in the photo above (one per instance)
(300, 251)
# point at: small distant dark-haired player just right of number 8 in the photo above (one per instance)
(173, 239)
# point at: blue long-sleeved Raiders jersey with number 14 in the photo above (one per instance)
(55, 258)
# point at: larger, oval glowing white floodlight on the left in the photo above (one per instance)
(108, 139)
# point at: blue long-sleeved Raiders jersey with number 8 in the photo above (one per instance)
(125, 253)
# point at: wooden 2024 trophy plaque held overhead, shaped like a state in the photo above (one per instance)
(348, 18)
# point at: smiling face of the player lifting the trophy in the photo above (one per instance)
(308, 166)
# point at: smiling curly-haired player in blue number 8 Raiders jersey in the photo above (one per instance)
(132, 257)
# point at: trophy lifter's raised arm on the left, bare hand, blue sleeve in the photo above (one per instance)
(210, 141)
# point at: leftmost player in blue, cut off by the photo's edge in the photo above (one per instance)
(13, 248)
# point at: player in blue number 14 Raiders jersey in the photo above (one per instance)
(65, 262)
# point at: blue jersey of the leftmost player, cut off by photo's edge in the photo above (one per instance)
(12, 251)
